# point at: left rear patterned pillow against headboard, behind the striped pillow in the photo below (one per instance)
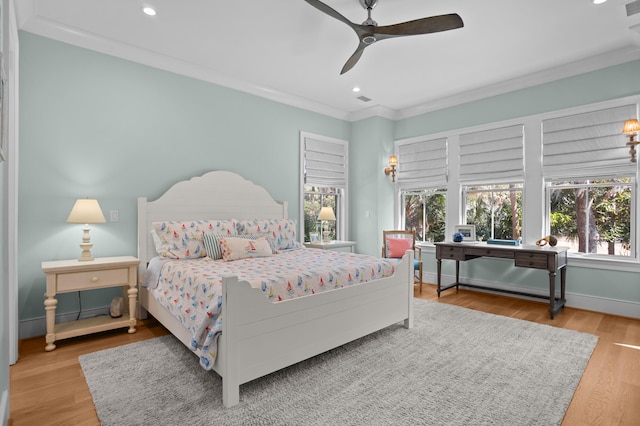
(183, 239)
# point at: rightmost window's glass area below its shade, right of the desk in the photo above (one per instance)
(592, 216)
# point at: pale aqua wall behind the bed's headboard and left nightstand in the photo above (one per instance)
(97, 126)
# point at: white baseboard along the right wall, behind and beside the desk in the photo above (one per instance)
(575, 300)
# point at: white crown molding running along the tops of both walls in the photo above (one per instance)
(29, 21)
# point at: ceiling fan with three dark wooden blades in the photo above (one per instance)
(369, 32)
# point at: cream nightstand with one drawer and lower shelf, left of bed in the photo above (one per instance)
(66, 276)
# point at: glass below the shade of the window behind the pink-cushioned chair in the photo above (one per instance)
(425, 213)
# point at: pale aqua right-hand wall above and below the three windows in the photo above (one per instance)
(610, 83)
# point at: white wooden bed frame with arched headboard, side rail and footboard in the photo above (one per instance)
(259, 337)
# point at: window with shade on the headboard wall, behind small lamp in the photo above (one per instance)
(324, 184)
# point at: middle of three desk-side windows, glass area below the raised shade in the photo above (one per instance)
(495, 210)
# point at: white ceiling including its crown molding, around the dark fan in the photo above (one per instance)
(287, 50)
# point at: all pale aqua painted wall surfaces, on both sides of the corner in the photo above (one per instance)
(93, 125)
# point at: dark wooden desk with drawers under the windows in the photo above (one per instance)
(547, 258)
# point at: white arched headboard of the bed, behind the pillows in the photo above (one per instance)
(214, 195)
